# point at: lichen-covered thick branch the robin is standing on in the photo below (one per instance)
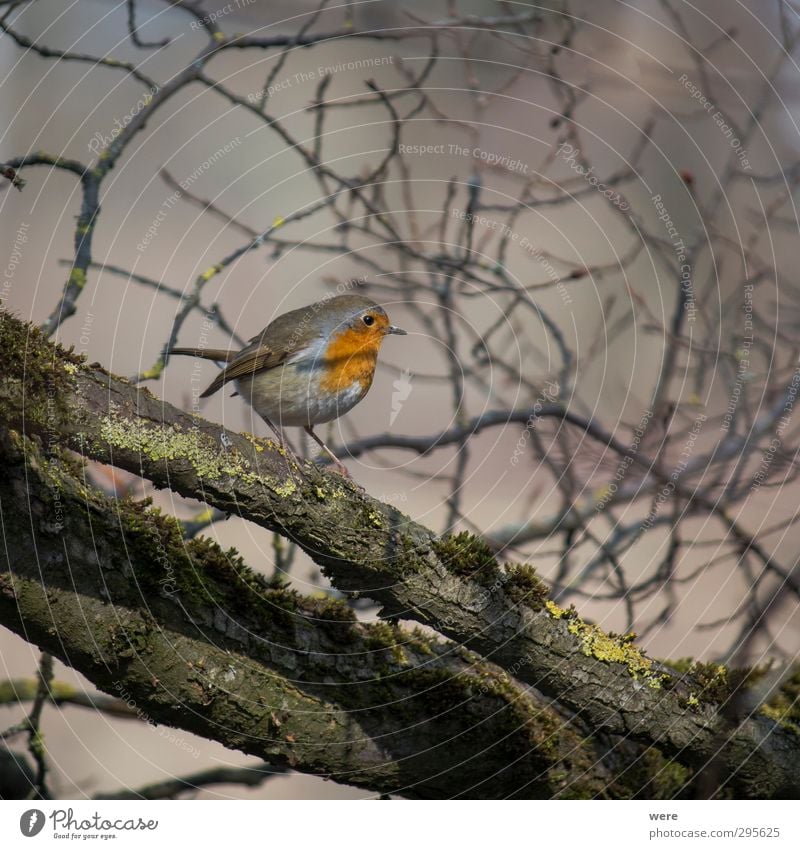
(364, 546)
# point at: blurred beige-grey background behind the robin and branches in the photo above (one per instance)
(589, 205)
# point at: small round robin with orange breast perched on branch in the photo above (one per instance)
(308, 366)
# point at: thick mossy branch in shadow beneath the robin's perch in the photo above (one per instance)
(190, 637)
